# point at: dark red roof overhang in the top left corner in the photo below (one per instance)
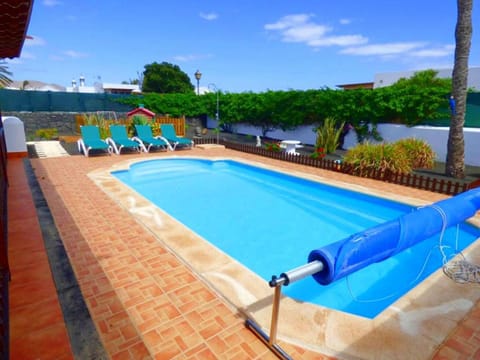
(14, 20)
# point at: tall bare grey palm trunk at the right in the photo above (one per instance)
(455, 163)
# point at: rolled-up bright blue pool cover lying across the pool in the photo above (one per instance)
(385, 240)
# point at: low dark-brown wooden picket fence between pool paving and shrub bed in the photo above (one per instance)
(441, 186)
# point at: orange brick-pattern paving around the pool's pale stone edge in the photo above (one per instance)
(145, 302)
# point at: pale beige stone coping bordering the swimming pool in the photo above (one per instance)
(332, 325)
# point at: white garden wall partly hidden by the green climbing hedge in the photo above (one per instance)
(437, 137)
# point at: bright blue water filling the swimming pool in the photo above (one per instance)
(270, 221)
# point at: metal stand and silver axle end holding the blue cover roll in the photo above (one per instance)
(285, 278)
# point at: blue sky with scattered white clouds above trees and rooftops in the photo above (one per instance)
(245, 45)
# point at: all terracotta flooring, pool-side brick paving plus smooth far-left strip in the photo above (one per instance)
(145, 302)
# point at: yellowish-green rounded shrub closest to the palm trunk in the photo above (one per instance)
(418, 151)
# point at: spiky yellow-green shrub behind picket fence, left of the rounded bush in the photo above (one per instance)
(384, 158)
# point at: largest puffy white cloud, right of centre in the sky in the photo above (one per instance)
(301, 29)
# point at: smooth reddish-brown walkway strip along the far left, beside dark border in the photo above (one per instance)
(37, 326)
